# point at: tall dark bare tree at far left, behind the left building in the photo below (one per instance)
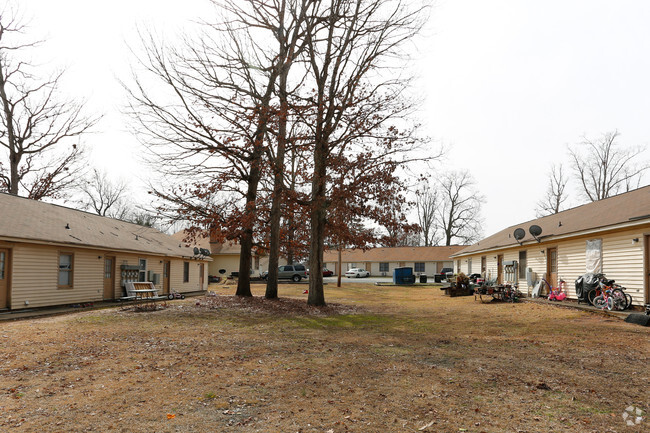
(40, 131)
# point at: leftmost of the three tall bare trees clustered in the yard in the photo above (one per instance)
(209, 129)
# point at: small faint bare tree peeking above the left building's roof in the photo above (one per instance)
(104, 197)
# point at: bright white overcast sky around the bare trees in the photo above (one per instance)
(507, 84)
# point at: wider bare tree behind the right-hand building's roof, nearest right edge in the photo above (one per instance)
(605, 168)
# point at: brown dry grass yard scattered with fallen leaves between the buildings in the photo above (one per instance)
(377, 359)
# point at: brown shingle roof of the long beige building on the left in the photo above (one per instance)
(22, 219)
